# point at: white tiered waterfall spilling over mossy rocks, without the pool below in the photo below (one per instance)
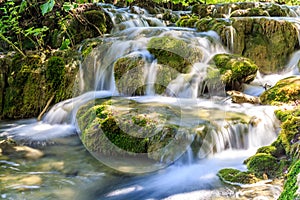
(131, 34)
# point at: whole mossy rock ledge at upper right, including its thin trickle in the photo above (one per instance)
(268, 42)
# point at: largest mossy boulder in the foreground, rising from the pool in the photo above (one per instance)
(124, 127)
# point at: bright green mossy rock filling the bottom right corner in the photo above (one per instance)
(292, 184)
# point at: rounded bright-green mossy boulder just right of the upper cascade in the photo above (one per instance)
(234, 70)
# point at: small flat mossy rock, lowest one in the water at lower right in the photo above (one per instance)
(237, 177)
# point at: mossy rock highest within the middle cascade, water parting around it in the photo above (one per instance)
(174, 53)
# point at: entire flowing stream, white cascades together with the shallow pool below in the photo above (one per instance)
(68, 171)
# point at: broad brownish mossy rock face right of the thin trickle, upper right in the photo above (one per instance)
(268, 42)
